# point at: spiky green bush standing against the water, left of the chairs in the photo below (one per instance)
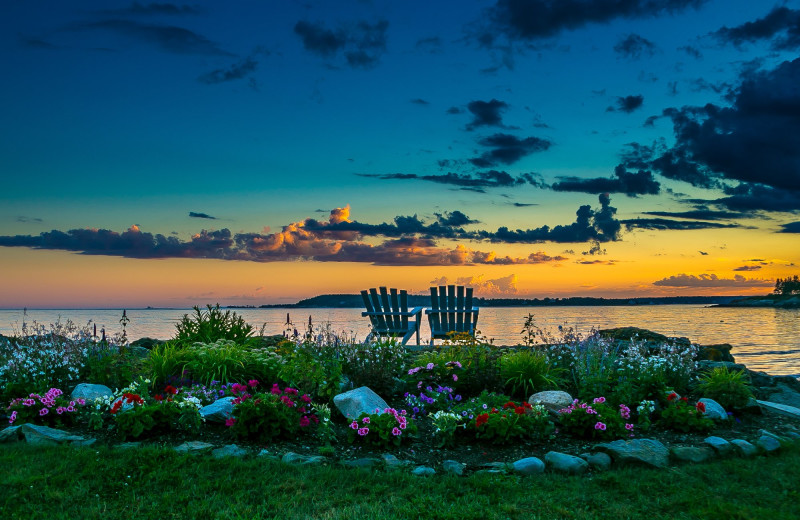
(212, 325)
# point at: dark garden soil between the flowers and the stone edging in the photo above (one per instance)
(476, 455)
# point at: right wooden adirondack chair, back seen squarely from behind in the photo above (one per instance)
(451, 311)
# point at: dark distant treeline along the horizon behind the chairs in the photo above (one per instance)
(355, 301)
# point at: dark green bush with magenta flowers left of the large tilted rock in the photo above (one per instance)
(267, 416)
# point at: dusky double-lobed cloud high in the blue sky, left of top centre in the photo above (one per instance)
(363, 44)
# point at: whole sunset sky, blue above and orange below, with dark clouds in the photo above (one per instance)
(246, 153)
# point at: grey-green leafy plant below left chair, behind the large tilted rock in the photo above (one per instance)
(374, 363)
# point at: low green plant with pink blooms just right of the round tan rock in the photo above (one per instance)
(597, 420)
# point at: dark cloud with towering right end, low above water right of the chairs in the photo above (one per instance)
(591, 225)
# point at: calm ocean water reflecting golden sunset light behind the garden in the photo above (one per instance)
(764, 339)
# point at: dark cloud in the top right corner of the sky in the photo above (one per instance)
(781, 26)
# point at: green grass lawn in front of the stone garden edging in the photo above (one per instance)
(63, 482)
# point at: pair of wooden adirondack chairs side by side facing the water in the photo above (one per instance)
(451, 311)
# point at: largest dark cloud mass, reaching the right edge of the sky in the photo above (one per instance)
(753, 141)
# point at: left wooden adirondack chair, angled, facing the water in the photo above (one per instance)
(389, 314)
